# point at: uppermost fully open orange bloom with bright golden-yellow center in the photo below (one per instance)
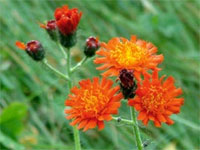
(120, 53)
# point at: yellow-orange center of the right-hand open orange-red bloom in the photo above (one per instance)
(154, 100)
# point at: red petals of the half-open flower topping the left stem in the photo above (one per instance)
(67, 19)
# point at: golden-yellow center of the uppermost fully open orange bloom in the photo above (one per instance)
(128, 55)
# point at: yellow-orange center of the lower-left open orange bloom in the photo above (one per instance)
(93, 100)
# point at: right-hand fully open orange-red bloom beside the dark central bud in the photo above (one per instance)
(156, 99)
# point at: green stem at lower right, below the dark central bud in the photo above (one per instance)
(136, 129)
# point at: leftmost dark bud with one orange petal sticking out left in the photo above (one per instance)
(33, 48)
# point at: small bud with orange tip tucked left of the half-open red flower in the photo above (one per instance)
(51, 29)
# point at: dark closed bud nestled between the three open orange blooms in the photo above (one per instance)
(127, 83)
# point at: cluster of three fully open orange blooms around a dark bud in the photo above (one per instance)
(155, 99)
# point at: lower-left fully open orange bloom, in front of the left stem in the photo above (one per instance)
(93, 103)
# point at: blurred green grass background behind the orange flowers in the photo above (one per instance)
(32, 97)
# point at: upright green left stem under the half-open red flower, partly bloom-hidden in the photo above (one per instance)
(75, 130)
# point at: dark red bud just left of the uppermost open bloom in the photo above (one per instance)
(91, 46)
